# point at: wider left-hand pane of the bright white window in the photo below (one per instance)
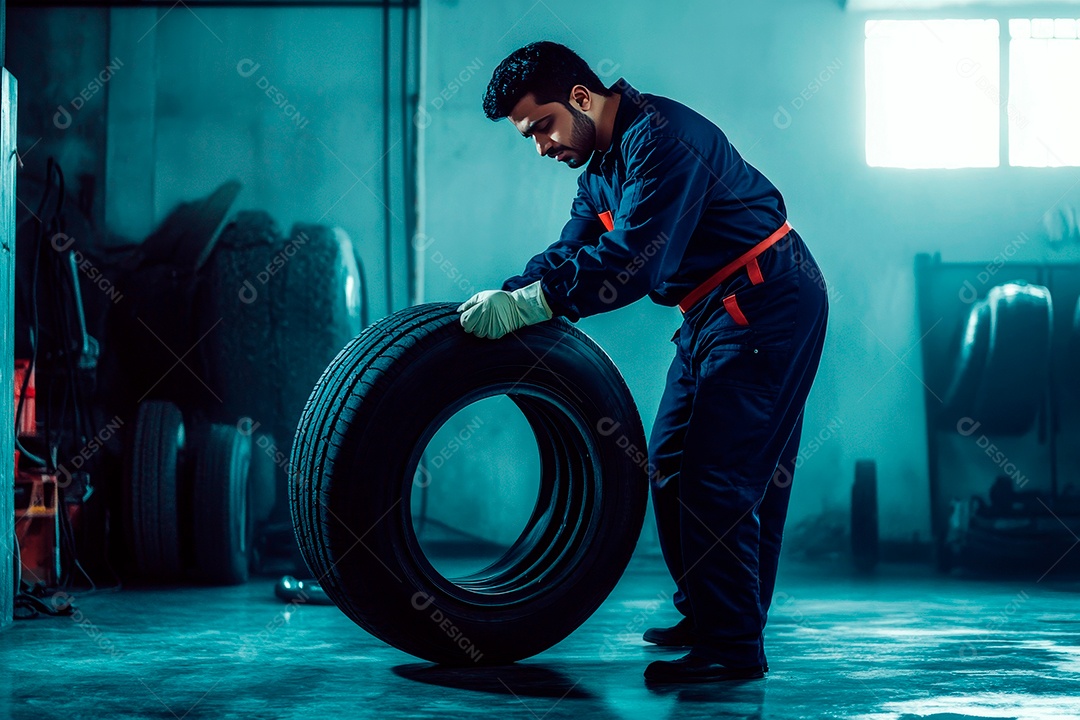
(931, 94)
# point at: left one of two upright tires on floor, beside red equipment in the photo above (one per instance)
(151, 498)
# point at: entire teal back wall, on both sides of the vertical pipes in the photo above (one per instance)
(179, 116)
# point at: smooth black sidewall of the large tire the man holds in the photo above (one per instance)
(438, 375)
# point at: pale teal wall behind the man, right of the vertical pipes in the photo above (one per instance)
(739, 64)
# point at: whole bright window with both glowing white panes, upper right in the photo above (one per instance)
(934, 96)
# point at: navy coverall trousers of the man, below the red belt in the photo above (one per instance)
(723, 451)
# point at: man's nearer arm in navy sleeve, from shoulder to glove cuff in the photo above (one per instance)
(664, 197)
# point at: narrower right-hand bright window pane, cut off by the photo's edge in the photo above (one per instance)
(1044, 93)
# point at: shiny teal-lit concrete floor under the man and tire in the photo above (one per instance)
(903, 645)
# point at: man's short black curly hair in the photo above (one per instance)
(547, 70)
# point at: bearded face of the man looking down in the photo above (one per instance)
(564, 133)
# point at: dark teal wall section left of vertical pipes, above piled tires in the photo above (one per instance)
(164, 105)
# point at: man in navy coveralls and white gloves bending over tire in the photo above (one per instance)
(667, 208)
